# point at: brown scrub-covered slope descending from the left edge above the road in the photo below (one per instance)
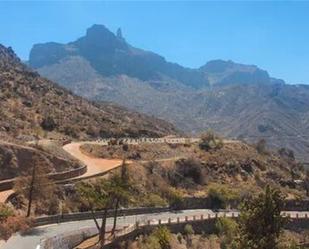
(32, 105)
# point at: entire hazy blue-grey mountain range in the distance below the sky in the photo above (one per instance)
(236, 100)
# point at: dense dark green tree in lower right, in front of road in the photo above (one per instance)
(260, 222)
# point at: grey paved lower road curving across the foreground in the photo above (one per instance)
(32, 239)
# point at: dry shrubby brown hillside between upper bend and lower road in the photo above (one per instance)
(163, 173)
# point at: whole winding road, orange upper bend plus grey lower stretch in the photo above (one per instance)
(95, 167)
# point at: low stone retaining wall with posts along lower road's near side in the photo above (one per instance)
(200, 225)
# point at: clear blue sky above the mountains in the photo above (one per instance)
(272, 35)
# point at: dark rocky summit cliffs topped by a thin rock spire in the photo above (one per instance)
(111, 55)
